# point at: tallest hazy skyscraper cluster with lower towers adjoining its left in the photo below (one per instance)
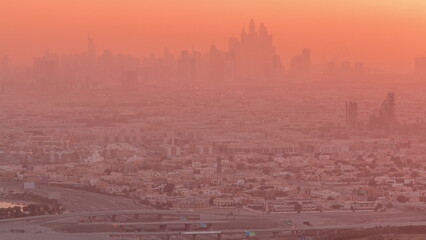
(250, 59)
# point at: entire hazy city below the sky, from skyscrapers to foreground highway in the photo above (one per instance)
(216, 144)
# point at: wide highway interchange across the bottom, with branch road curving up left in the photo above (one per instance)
(48, 227)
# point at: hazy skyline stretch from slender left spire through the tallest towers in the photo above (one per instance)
(250, 59)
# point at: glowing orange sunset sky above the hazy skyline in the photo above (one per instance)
(383, 33)
